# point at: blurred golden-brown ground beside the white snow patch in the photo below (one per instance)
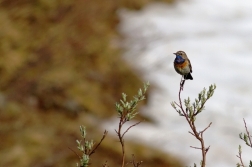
(61, 67)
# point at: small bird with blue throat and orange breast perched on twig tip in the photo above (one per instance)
(182, 65)
